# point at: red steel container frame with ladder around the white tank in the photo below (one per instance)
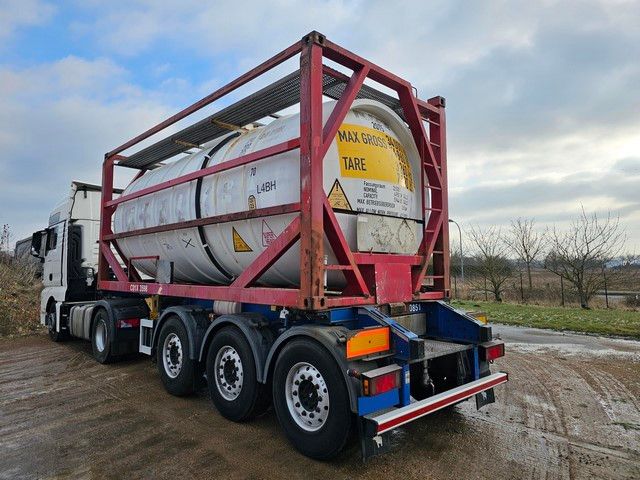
(372, 278)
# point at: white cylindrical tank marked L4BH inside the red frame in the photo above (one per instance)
(371, 176)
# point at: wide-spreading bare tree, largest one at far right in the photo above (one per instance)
(580, 254)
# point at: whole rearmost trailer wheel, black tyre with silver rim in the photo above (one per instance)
(311, 399)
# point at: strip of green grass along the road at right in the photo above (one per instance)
(597, 321)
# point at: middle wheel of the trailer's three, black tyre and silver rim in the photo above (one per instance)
(232, 378)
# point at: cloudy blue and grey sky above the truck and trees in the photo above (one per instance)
(543, 98)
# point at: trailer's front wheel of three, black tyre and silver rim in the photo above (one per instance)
(177, 370)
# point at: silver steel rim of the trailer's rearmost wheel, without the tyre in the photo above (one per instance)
(307, 396)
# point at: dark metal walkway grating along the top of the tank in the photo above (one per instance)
(267, 101)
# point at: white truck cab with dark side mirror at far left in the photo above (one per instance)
(68, 248)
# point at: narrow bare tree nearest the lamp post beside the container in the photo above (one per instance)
(490, 259)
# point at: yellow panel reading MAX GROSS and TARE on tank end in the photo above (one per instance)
(373, 155)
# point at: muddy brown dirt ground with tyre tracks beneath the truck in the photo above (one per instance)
(570, 410)
